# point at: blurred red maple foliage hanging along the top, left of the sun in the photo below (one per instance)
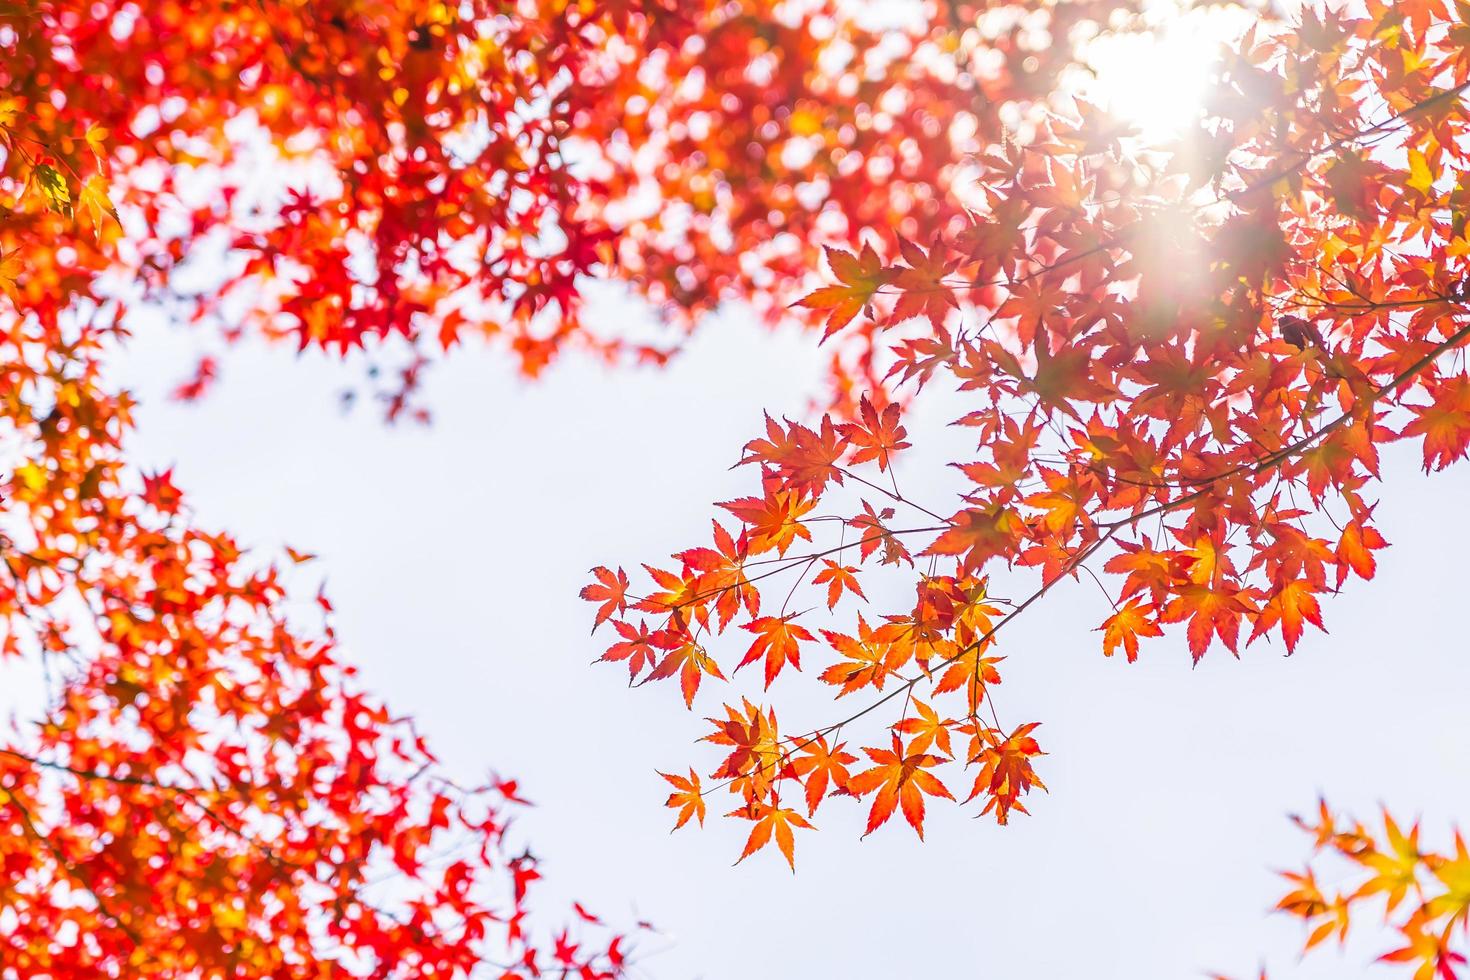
(401, 177)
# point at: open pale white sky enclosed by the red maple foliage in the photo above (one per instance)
(455, 555)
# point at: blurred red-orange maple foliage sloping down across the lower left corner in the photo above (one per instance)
(207, 791)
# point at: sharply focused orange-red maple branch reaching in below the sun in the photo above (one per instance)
(1181, 361)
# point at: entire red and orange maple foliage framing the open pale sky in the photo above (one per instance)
(1180, 350)
